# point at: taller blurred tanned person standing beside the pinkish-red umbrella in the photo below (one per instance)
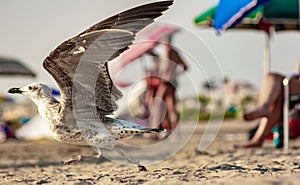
(165, 92)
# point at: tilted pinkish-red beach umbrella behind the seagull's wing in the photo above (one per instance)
(145, 42)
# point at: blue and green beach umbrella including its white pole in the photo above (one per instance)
(263, 15)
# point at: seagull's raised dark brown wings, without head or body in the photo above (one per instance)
(94, 48)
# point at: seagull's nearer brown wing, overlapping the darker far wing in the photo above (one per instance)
(93, 50)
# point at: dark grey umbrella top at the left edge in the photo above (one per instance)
(10, 66)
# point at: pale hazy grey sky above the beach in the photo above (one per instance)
(31, 29)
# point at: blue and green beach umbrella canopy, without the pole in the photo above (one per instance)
(281, 14)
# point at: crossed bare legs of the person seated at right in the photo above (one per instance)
(269, 107)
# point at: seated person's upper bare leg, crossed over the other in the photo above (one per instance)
(271, 89)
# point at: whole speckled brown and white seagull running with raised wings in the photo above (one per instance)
(79, 66)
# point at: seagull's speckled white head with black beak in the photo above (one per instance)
(34, 91)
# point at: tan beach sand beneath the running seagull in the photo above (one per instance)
(39, 163)
